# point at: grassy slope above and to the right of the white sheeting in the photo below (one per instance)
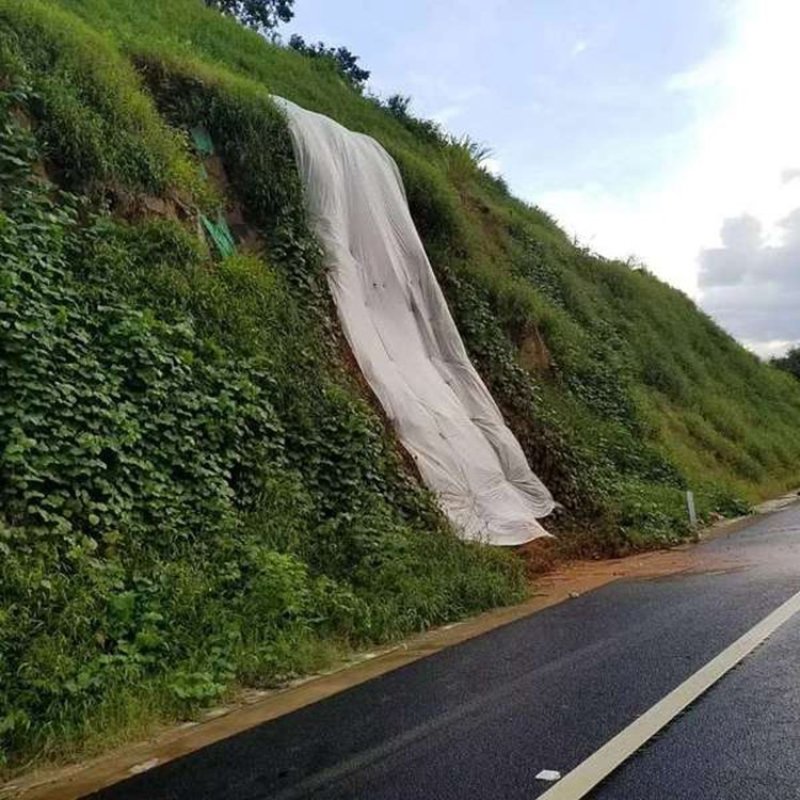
(629, 358)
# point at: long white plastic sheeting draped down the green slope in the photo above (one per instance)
(399, 327)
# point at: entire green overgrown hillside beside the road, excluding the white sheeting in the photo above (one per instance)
(198, 491)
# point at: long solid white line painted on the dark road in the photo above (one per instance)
(581, 780)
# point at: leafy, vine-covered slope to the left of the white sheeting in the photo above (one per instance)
(195, 495)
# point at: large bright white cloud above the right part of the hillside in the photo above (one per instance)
(738, 151)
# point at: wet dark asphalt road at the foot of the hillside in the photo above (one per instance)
(481, 719)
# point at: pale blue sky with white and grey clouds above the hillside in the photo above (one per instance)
(668, 132)
